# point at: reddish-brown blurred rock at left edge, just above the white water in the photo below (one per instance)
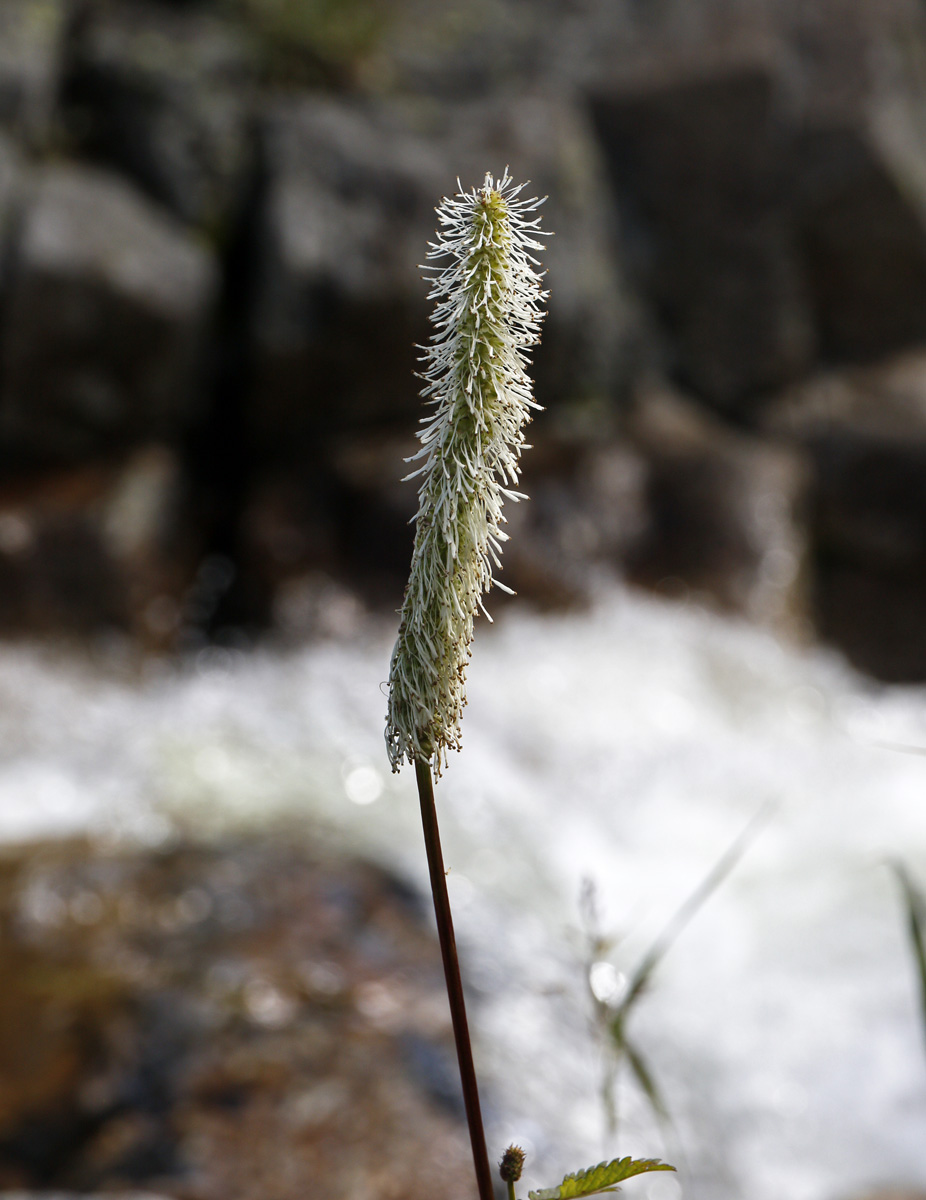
(95, 548)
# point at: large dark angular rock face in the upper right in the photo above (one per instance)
(769, 230)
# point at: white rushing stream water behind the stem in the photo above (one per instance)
(628, 747)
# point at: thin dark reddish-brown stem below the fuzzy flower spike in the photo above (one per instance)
(454, 982)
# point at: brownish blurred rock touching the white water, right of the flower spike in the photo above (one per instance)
(675, 501)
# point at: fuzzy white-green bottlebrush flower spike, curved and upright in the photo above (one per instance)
(488, 317)
